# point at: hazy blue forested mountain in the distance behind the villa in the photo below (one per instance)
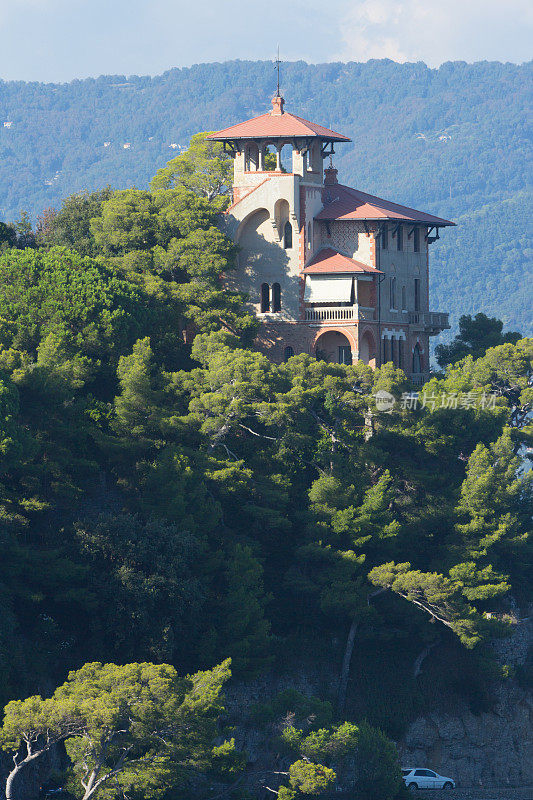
(454, 141)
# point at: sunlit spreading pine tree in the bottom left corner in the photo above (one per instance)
(122, 724)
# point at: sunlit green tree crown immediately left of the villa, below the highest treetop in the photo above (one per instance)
(173, 234)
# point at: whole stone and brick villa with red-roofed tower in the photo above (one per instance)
(329, 270)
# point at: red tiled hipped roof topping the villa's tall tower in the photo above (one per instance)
(272, 126)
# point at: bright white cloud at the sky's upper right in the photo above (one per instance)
(435, 31)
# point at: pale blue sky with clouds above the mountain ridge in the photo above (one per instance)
(60, 40)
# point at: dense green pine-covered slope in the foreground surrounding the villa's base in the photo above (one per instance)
(173, 508)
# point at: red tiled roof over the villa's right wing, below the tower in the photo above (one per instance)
(343, 202)
